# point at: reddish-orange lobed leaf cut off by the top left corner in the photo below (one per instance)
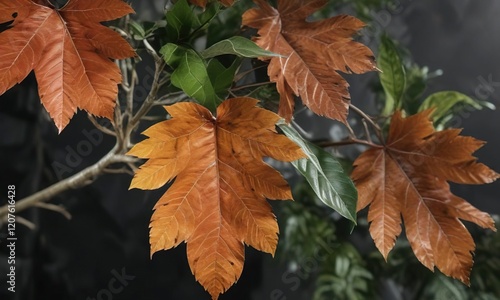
(68, 49)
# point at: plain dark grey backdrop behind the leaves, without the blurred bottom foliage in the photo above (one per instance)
(108, 232)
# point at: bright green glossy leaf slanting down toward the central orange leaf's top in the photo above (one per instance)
(190, 74)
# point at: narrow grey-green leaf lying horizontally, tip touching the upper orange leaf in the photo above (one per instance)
(236, 45)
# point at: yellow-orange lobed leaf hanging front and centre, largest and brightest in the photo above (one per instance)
(217, 201)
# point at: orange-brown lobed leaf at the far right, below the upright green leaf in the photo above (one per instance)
(408, 178)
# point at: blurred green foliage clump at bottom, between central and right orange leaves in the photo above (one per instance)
(311, 238)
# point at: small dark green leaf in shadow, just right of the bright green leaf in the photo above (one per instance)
(222, 77)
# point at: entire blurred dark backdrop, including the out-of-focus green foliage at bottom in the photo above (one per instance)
(106, 238)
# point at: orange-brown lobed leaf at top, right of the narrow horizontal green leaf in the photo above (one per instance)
(311, 54)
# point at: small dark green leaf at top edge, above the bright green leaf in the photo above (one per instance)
(180, 20)
